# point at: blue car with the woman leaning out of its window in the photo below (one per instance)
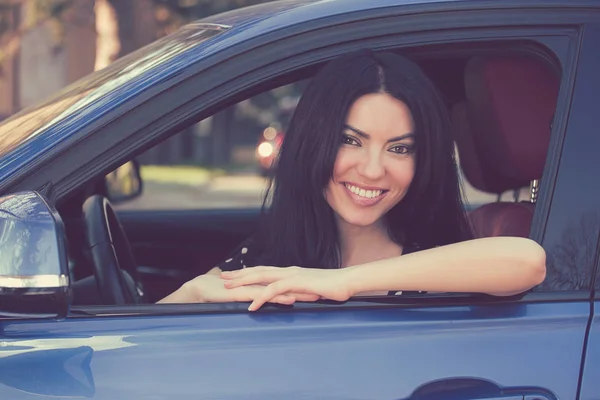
(79, 275)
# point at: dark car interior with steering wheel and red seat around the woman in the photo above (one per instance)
(501, 99)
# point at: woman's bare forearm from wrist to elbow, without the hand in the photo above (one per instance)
(499, 266)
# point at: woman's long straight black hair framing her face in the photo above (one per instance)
(299, 226)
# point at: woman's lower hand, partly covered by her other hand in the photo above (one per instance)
(211, 288)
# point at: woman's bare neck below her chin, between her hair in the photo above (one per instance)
(363, 244)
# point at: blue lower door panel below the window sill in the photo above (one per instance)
(338, 353)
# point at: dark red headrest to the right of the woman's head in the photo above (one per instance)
(510, 105)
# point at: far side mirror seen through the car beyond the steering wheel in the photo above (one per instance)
(124, 183)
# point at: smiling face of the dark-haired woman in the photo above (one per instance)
(375, 164)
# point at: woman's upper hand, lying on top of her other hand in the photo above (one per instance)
(290, 281)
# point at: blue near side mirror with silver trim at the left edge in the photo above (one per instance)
(34, 275)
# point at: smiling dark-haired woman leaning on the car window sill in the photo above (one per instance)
(365, 176)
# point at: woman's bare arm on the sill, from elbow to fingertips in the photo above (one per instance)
(500, 266)
